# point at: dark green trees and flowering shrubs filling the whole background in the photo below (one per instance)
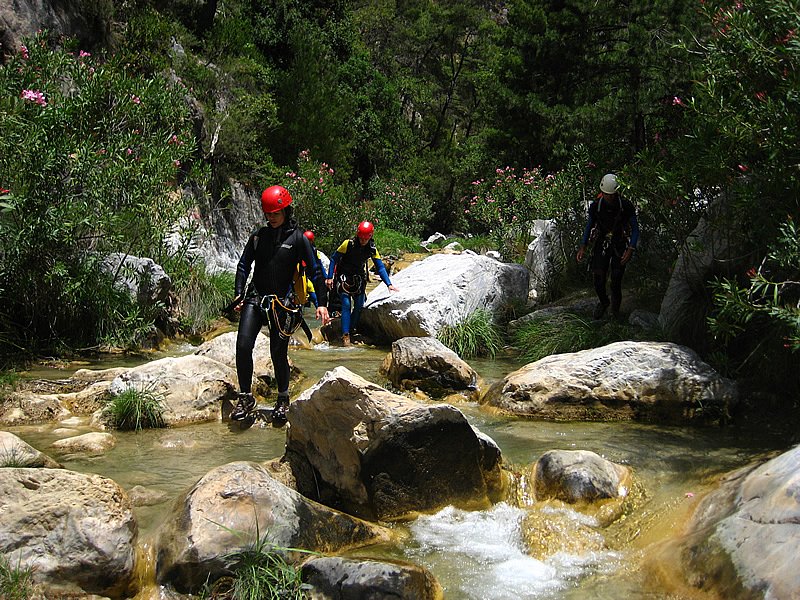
(461, 117)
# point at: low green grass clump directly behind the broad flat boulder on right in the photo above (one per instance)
(568, 333)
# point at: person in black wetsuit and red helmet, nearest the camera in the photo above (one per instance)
(276, 250)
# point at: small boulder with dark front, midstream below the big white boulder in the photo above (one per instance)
(427, 364)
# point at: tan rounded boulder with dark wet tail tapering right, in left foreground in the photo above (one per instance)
(237, 506)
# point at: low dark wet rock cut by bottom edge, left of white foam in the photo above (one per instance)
(337, 578)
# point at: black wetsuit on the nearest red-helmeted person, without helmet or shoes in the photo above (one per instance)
(275, 252)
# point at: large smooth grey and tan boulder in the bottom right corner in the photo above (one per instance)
(744, 538)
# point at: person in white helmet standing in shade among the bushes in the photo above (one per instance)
(613, 231)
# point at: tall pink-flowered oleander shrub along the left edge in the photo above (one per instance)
(90, 158)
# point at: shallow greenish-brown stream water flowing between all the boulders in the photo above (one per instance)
(480, 555)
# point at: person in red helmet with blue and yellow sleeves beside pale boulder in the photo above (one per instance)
(348, 275)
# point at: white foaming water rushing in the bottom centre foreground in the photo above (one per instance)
(481, 555)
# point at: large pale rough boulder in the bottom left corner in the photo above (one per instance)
(76, 532)
